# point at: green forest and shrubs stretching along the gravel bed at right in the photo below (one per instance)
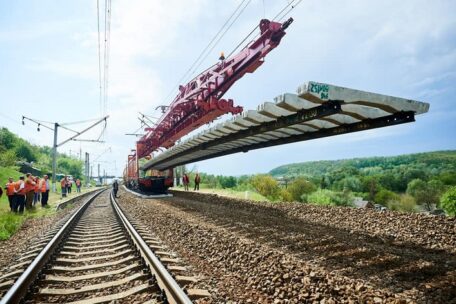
(409, 183)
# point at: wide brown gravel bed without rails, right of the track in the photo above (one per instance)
(295, 253)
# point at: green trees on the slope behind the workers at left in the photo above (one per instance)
(14, 150)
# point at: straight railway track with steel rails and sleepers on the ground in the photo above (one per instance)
(98, 256)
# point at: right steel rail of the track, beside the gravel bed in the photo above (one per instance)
(173, 292)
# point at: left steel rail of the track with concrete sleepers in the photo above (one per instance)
(20, 288)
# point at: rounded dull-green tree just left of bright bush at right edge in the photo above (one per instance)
(425, 193)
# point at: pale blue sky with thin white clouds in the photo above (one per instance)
(49, 70)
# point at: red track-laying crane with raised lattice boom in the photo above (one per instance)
(200, 102)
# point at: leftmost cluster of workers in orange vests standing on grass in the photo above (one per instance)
(26, 192)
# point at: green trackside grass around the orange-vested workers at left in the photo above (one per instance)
(10, 223)
